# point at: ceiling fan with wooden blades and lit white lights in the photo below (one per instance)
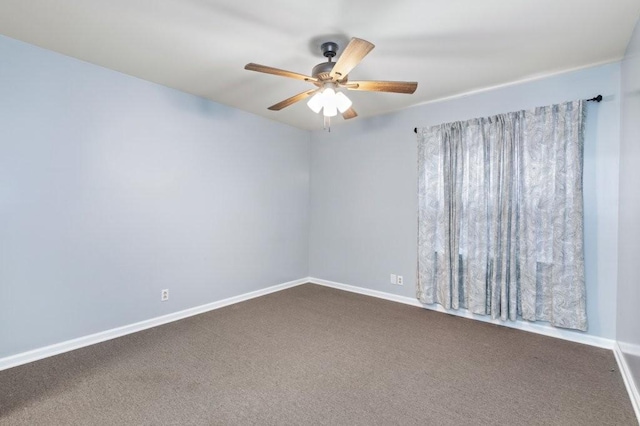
(329, 77)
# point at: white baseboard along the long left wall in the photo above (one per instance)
(80, 342)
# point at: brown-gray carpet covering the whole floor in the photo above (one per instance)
(314, 355)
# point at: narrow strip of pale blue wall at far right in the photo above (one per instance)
(628, 332)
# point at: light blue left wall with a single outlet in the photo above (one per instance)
(113, 188)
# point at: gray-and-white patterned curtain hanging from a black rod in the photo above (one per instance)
(501, 216)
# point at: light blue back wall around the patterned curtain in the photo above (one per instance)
(364, 185)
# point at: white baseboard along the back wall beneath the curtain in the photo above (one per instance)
(574, 336)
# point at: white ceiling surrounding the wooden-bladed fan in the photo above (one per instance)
(448, 46)
